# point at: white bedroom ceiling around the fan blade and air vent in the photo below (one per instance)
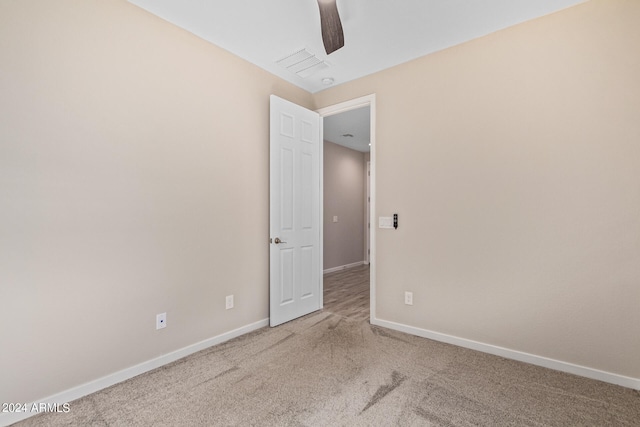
(378, 33)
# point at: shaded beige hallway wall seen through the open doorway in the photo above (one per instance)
(344, 188)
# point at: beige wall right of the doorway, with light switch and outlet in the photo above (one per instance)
(513, 163)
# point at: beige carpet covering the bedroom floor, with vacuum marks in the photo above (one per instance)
(328, 370)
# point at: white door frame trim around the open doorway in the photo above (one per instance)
(363, 101)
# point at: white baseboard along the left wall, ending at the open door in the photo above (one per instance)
(117, 377)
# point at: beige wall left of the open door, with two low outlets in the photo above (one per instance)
(133, 181)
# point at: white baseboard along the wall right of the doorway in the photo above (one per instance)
(545, 362)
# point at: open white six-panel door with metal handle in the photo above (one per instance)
(294, 254)
